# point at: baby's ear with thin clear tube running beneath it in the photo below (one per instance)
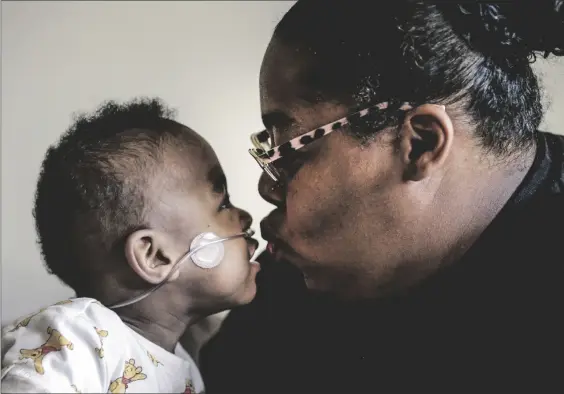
(148, 254)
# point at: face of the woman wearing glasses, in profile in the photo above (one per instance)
(341, 215)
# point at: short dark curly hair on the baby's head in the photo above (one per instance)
(91, 189)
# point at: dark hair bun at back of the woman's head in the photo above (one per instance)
(514, 30)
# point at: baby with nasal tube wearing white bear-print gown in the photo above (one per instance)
(126, 203)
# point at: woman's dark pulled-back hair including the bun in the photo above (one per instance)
(473, 54)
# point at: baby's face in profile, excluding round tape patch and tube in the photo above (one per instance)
(199, 203)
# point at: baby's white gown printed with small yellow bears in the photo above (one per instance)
(80, 346)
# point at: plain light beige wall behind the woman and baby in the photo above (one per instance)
(202, 58)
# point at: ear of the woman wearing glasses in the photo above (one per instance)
(426, 139)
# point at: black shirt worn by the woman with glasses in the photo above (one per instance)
(492, 322)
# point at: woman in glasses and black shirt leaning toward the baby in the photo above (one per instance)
(410, 249)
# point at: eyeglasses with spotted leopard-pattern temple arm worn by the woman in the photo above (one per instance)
(266, 155)
